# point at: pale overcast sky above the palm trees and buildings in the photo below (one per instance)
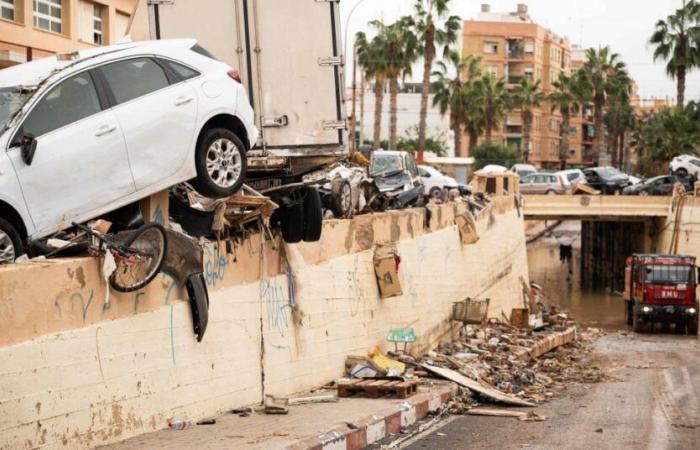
(625, 25)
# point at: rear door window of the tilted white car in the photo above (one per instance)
(133, 78)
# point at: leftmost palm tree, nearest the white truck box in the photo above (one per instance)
(371, 57)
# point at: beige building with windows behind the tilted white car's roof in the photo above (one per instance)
(31, 29)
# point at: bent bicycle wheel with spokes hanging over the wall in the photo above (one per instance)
(141, 259)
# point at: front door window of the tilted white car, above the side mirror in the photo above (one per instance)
(68, 102)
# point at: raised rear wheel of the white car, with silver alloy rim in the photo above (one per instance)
(224, 175)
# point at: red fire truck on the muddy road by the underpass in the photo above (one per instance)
(661, 288)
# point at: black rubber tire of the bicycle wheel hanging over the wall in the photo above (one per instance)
(156, 233)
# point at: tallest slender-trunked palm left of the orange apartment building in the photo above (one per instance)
(432, 26)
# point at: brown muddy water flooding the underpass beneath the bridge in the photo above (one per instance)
(561, 281)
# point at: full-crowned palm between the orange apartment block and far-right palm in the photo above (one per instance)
(599, 76)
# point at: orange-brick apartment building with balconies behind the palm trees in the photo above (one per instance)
(514, 47)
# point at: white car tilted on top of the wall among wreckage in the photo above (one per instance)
(85, 133)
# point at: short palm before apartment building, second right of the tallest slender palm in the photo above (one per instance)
(493, 99)
